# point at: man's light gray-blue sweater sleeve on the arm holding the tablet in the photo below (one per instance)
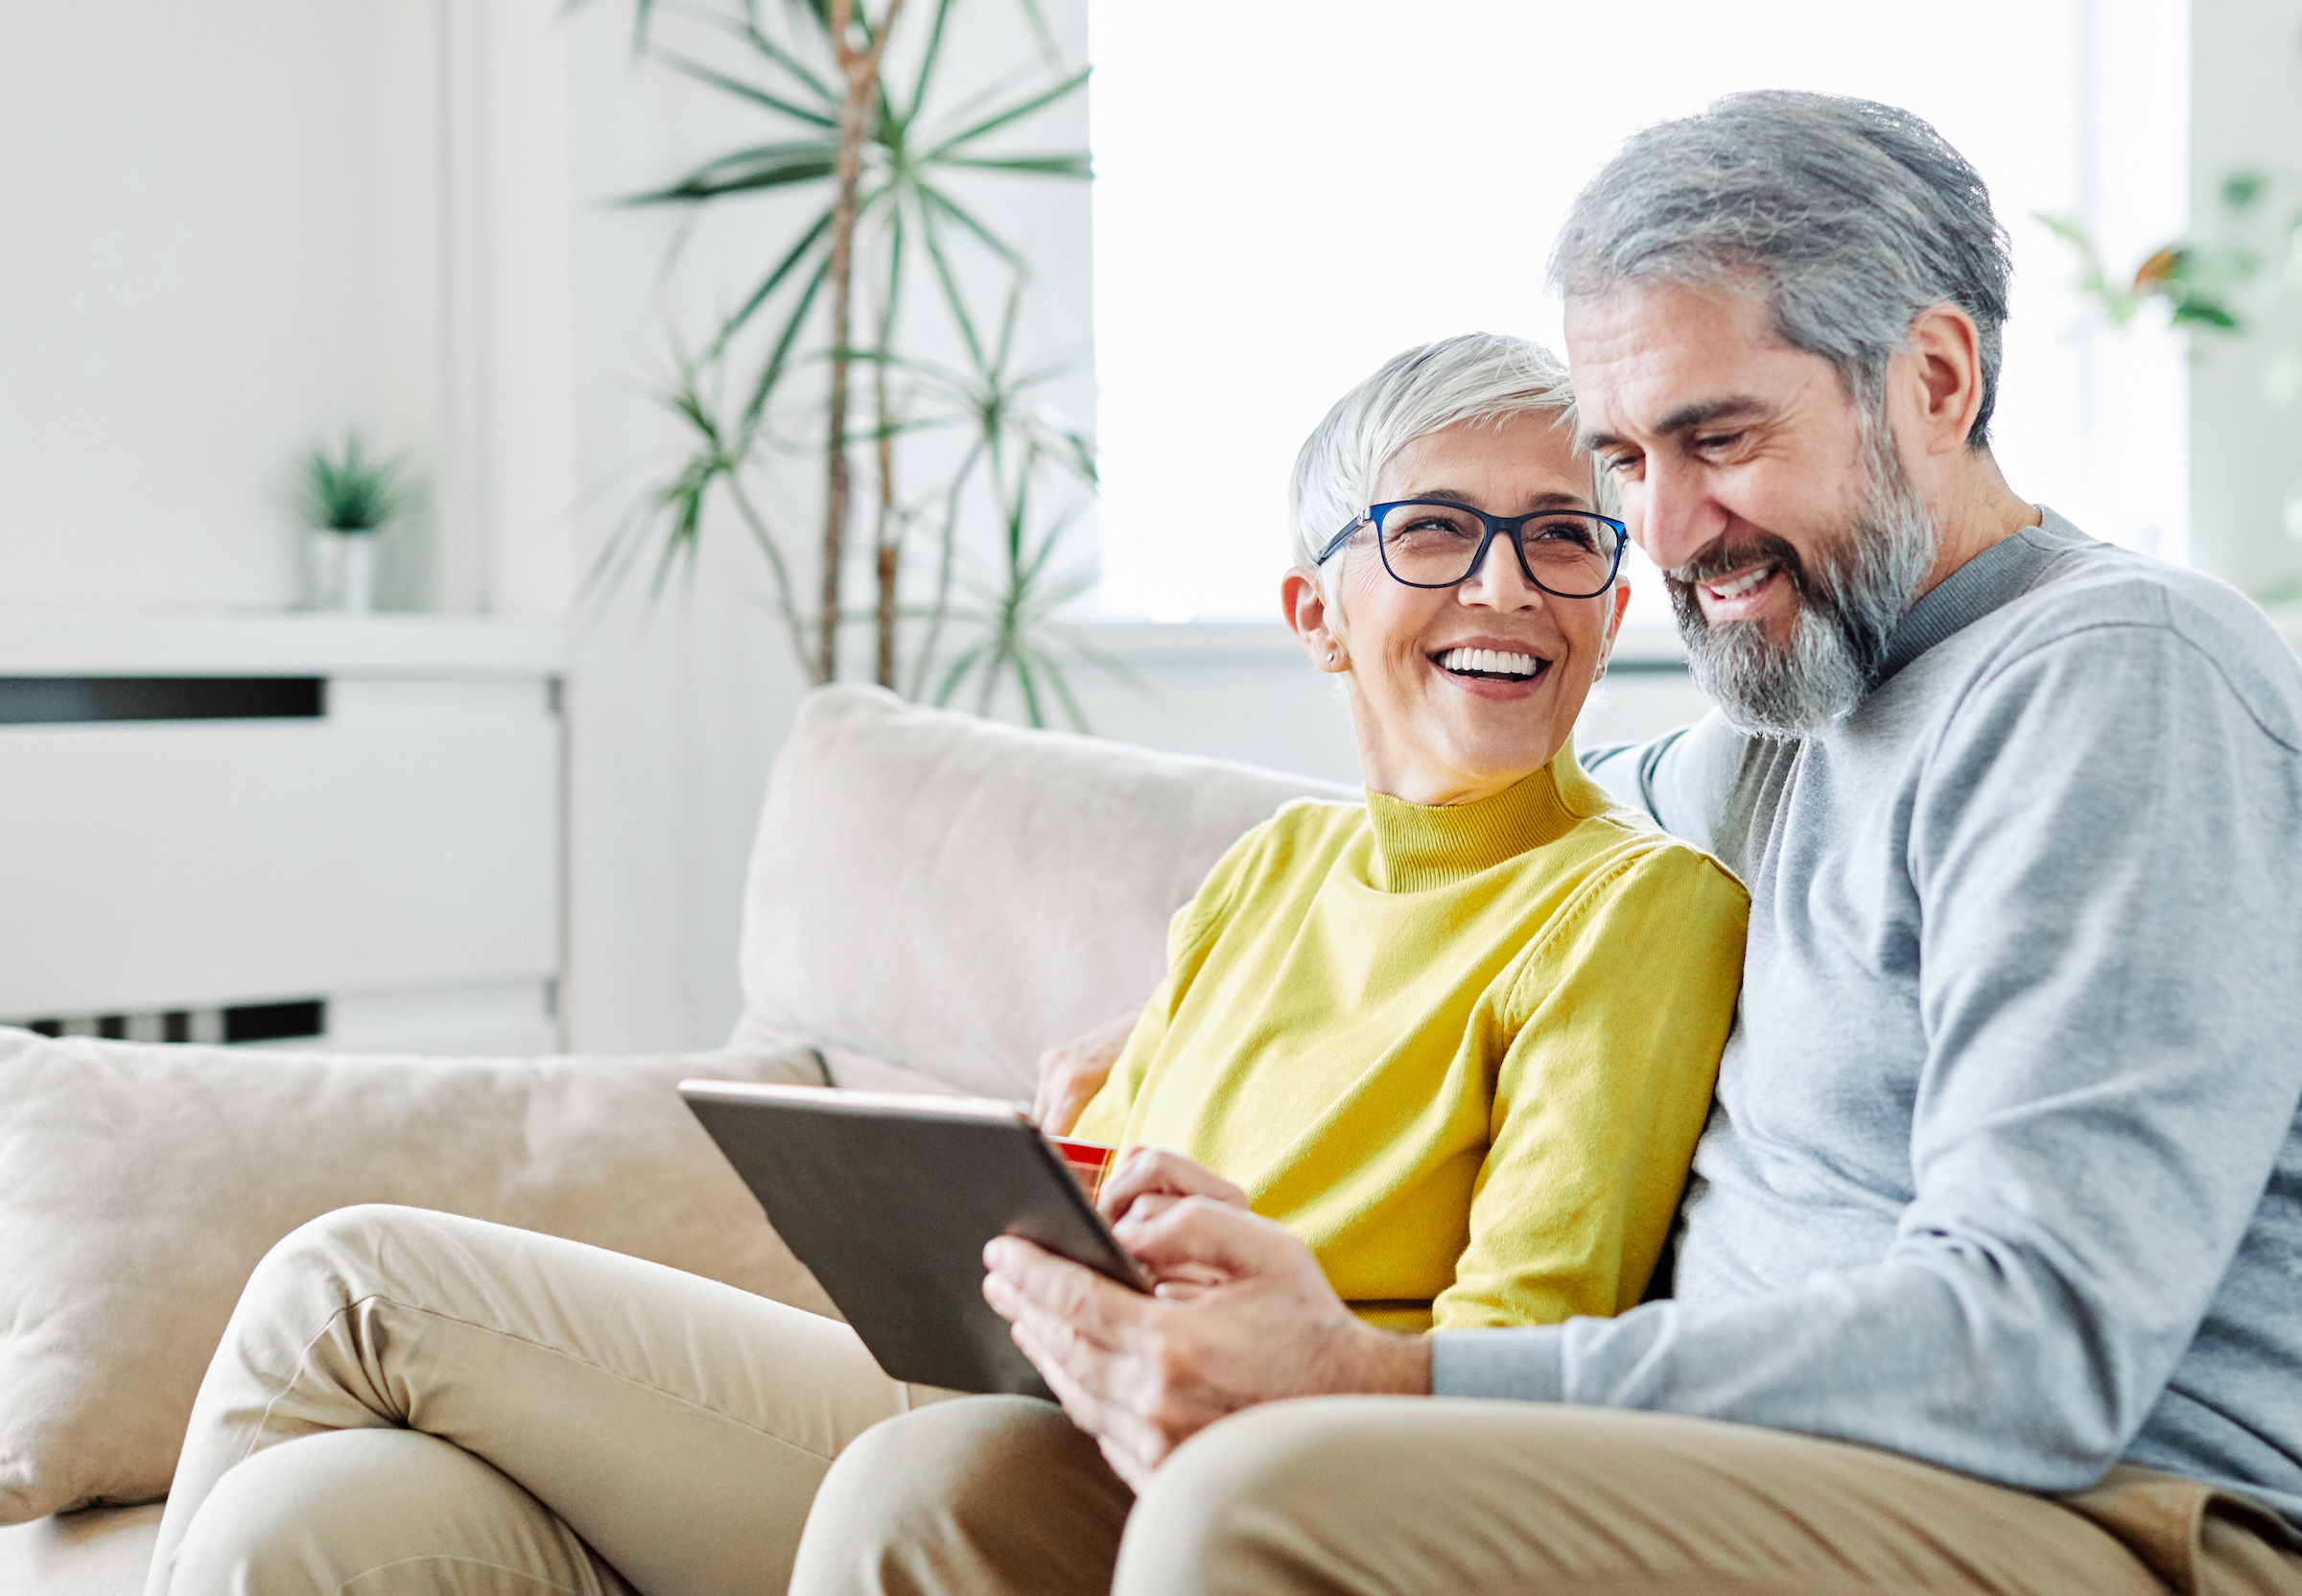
(2107, 849)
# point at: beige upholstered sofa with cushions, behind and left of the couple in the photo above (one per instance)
(931, 902)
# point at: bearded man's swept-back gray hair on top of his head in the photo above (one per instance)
(1850, 220)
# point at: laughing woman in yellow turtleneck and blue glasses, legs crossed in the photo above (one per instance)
(1461, 1040)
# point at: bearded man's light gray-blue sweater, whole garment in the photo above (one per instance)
(2006, 1164)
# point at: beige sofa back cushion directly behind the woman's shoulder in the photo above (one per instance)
(936, 899)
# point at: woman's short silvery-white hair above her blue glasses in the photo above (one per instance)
(1481, 377)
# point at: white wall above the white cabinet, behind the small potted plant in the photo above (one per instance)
(243, 227)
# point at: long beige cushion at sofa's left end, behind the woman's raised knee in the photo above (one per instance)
(142, 1185)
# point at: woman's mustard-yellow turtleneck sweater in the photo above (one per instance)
(1461, 1051)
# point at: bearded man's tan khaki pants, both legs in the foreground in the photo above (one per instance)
(1408, 1496)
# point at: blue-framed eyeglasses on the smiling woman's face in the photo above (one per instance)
(1571, 554)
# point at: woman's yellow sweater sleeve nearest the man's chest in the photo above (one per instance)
(1601, 1095)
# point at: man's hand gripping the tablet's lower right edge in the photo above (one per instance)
(1148, 1374)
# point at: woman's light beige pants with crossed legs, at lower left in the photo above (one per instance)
(422, 1404)
